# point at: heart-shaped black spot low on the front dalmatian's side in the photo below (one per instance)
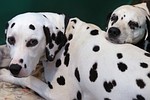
(109, 85)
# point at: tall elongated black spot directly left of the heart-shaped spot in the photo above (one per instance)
(93, 73)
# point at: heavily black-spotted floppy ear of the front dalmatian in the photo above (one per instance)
(54, 42)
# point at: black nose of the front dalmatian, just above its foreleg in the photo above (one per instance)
(15, 69)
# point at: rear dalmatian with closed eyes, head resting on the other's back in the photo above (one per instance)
(130, 24)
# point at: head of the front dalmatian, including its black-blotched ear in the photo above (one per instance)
(29, 36)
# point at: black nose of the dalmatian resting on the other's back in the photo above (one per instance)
(114, 32)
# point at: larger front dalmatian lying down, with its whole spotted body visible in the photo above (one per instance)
(79, 63)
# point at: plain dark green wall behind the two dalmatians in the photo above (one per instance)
(93, 11)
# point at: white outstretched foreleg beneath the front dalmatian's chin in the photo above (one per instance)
(31, 82)
